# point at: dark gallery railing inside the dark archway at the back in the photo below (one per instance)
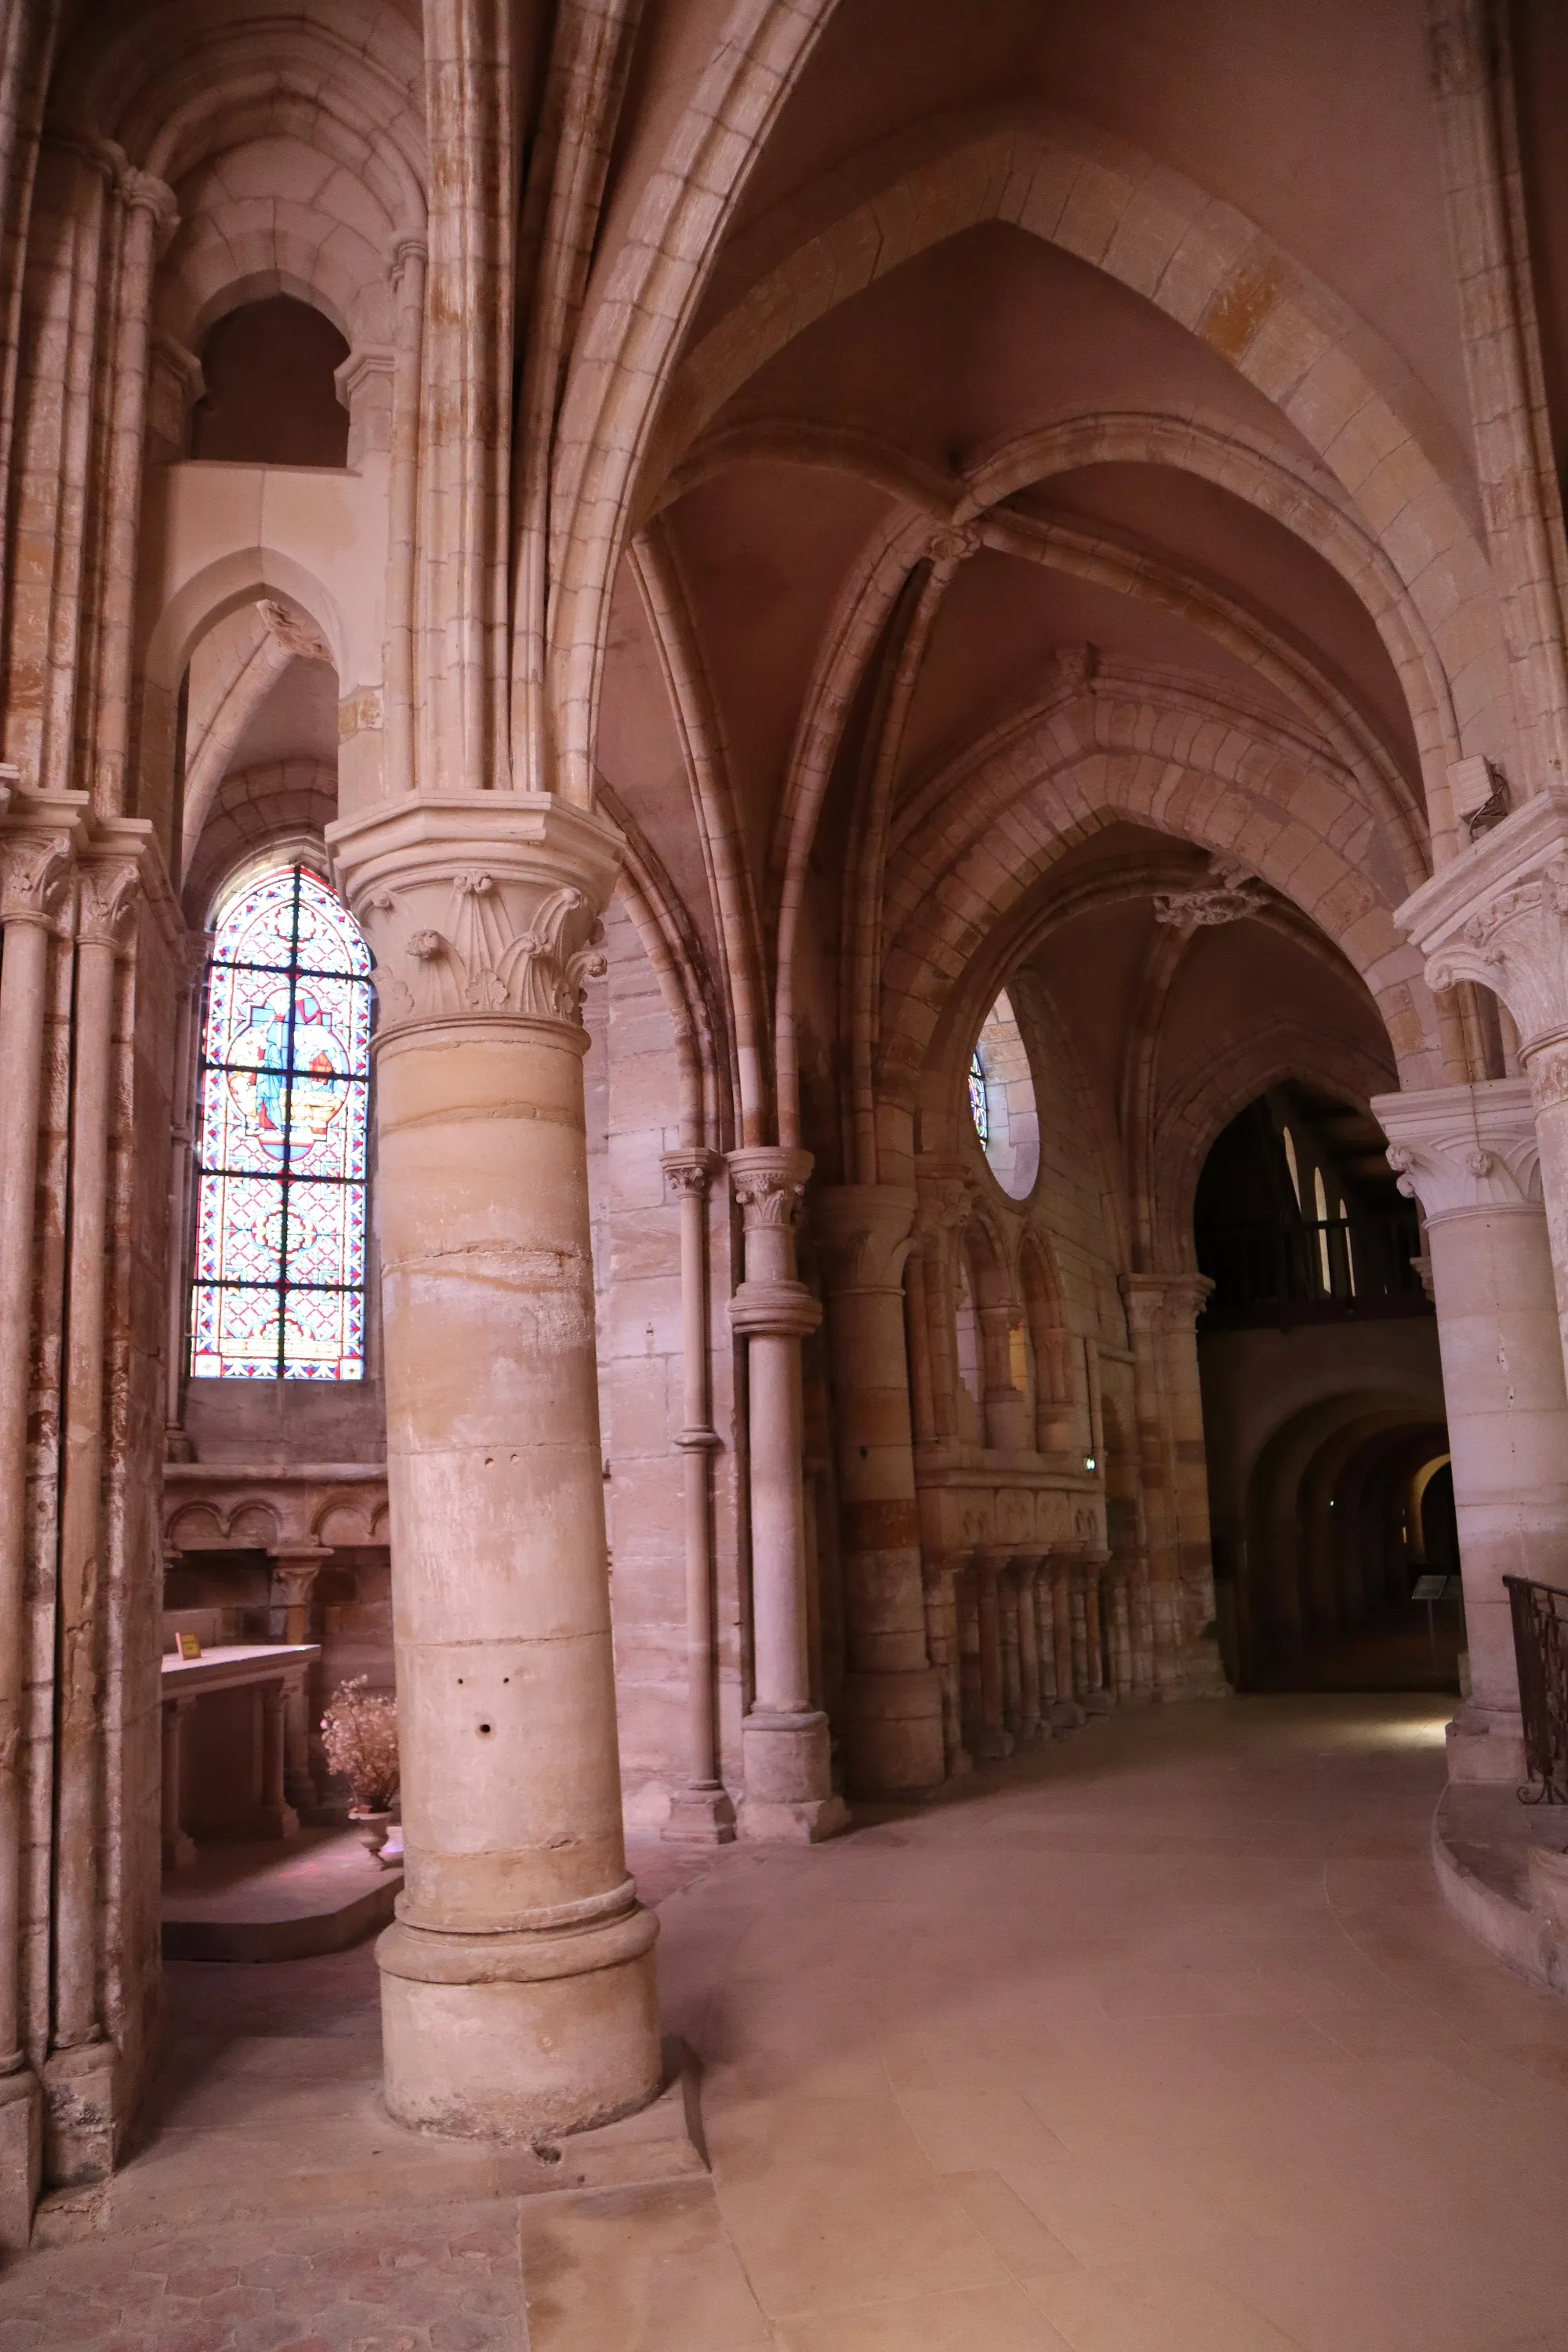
(1299, 1271)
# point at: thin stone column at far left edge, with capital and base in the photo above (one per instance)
(32, 876)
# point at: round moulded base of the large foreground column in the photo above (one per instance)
(521, 2036)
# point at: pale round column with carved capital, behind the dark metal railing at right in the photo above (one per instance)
(1470, 1156)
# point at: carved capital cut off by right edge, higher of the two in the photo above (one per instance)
(1499, 916)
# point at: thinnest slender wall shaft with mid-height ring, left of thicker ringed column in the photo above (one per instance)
(702, 1810)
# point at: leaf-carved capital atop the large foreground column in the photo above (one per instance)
(483, 907)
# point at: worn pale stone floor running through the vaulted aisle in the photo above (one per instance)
(1155, 2043)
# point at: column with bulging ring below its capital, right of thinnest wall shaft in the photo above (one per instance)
(784, 1739)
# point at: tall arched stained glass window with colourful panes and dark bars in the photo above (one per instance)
(281, 1210)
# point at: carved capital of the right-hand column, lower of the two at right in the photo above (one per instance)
(1463, 1151)
